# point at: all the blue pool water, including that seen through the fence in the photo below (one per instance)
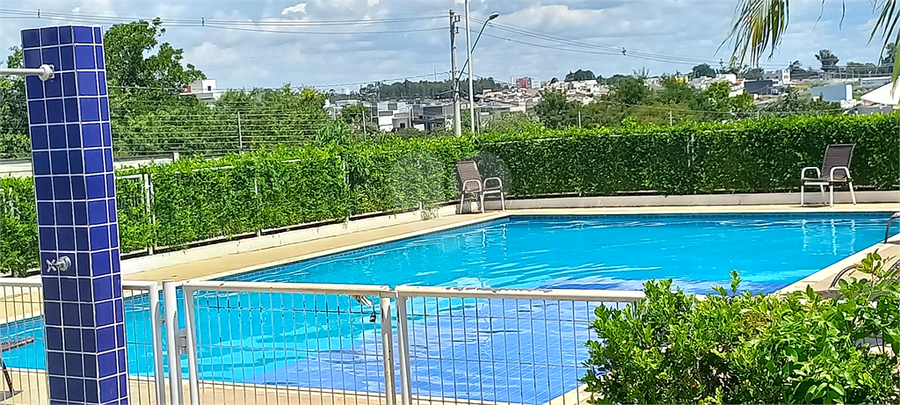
(495, 350)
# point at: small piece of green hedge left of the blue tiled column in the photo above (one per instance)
(18, 226)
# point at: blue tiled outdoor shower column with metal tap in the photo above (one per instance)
(76, 211)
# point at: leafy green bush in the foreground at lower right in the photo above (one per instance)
(739, 348)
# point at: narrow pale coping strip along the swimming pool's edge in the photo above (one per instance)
(799, 285)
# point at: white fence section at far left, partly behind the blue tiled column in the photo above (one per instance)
(22, 329)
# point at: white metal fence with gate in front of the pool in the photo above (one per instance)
(281, 343)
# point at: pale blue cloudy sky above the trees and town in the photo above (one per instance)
(340, 44)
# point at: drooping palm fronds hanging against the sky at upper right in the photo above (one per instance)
(760, 25)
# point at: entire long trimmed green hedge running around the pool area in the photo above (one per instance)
(195, 200)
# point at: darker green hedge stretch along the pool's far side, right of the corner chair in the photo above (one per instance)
(747, 156)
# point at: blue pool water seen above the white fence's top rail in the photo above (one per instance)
(610, 252)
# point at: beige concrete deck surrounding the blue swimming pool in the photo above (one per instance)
(235, 263)
